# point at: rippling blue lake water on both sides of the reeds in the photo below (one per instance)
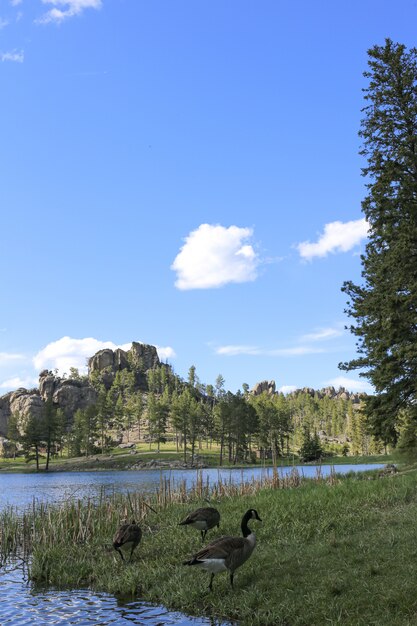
(21, 605)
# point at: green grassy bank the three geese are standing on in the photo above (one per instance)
(329, 552)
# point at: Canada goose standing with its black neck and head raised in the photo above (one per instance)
(227, 553)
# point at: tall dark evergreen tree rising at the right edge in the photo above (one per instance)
(384, 307)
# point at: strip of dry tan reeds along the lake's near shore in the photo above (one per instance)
(77, 521)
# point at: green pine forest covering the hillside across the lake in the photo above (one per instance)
(194, 418)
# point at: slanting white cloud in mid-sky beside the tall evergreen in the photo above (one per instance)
(337, 237)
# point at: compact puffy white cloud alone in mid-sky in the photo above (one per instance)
(213, 256)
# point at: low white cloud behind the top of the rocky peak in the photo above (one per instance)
(68, 352)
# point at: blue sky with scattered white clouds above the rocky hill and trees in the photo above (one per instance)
(184, 174)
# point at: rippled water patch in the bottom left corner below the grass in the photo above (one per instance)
(20, 606)
